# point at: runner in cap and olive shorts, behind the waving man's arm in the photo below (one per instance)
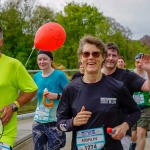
(142, 98)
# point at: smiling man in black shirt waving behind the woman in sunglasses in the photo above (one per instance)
(132, 81)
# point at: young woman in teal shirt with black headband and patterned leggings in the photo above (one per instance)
(51, 83)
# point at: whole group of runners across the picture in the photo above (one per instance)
(102, 94)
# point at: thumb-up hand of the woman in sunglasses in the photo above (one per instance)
(82, 117)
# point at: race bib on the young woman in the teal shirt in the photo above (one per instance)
(42, 113)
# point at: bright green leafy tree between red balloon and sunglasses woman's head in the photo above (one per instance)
(77, 20)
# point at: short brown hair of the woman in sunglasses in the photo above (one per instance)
(89, 39)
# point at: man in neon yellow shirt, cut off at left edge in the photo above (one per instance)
(14, 78)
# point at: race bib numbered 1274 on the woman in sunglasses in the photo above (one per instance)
(90, 139)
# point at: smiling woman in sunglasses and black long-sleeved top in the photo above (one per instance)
(91, 103)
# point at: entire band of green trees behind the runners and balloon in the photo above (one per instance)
(21, 20)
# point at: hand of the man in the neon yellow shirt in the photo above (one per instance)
(7, 113)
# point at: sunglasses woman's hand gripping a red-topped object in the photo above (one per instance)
(120, 131)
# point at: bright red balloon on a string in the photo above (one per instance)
(50, 36)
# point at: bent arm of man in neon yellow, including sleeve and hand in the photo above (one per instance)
(23, 82)
